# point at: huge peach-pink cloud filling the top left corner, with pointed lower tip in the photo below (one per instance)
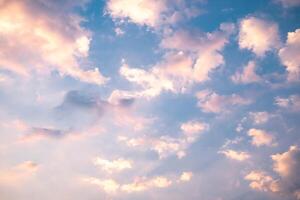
(35, 46)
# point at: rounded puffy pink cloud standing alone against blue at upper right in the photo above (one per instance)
(258, 35)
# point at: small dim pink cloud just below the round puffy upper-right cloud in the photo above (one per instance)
(248, 75)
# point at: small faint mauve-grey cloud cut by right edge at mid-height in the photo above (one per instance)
(291, 103)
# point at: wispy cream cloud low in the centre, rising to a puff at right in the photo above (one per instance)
(165, 146)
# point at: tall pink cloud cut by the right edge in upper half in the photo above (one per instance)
(289, 55)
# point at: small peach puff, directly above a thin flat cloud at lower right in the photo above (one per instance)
(261, 137)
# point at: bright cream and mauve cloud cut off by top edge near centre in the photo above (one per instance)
(151, 13)
